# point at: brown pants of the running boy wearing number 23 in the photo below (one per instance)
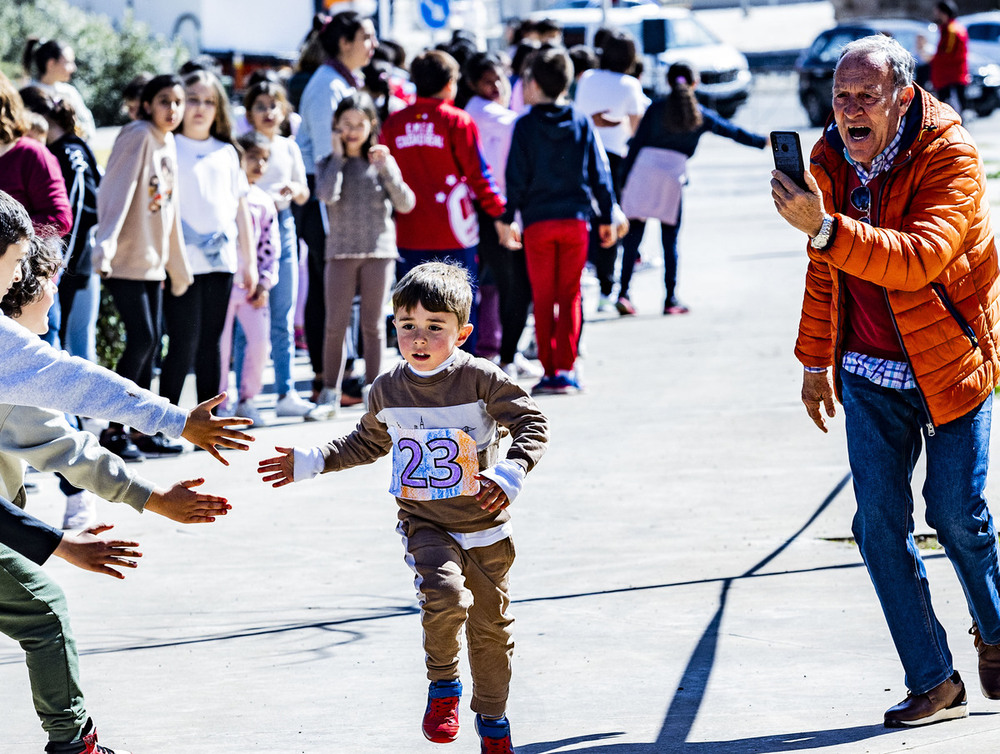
(459, 587)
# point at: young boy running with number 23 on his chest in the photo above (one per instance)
(439, 413)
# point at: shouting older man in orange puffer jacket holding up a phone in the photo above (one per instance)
(902, 302)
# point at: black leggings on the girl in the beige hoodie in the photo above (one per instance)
(138, 303)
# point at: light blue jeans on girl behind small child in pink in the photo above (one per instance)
(282, 303)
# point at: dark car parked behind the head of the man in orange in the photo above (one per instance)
(815, 66)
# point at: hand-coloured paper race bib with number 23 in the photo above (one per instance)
(433, 464)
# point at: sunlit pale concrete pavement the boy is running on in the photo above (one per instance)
(682, 584)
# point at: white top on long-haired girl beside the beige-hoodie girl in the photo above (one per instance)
(211, 185)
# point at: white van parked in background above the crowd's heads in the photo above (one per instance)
(664, 36)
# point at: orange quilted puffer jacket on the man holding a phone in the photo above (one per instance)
(932, 250)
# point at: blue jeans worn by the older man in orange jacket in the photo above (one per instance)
(884, 428)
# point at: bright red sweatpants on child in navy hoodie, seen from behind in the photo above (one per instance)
(556, 252)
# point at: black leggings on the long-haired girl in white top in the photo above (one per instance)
(194, 324)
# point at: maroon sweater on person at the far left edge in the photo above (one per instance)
(30, 173)
